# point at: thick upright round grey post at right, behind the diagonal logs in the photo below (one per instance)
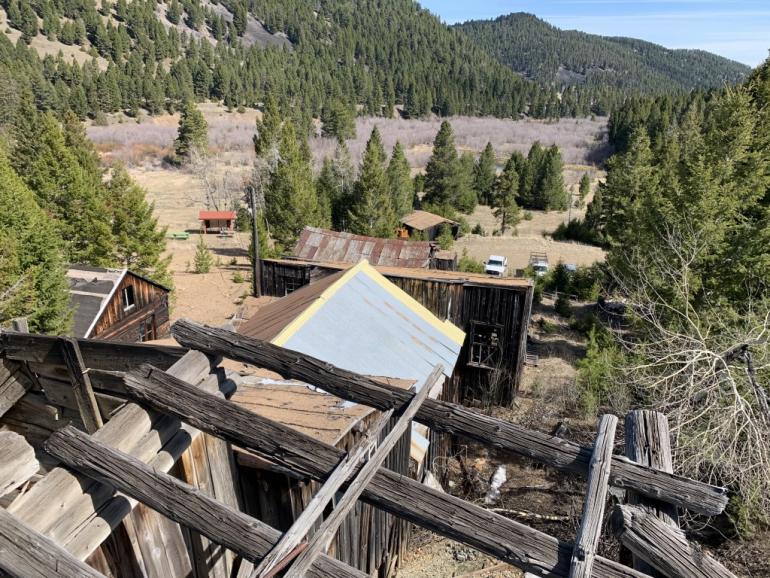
(647, 443)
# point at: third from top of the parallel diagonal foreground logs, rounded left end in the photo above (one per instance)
(163, 493)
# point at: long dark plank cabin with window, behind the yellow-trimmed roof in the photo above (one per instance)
(493, 312)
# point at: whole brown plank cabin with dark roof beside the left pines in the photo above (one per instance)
(117, 305)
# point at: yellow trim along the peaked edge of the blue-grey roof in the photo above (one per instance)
(446, 327)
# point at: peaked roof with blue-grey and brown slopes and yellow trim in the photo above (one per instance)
(358, 320)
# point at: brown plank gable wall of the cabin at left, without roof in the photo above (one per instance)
(117, 324)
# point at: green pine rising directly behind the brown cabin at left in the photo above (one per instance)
(139, 241)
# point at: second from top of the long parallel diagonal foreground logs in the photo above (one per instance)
(452, 517)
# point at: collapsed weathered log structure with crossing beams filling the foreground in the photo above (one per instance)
(131, 499)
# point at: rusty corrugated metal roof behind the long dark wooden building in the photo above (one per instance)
(324, 245)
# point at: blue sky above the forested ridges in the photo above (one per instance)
(736, 29)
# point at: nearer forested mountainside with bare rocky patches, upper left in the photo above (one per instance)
(366, 56)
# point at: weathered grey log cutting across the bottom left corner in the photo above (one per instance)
(25, 553)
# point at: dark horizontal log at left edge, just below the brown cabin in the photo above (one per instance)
(104, 355)
